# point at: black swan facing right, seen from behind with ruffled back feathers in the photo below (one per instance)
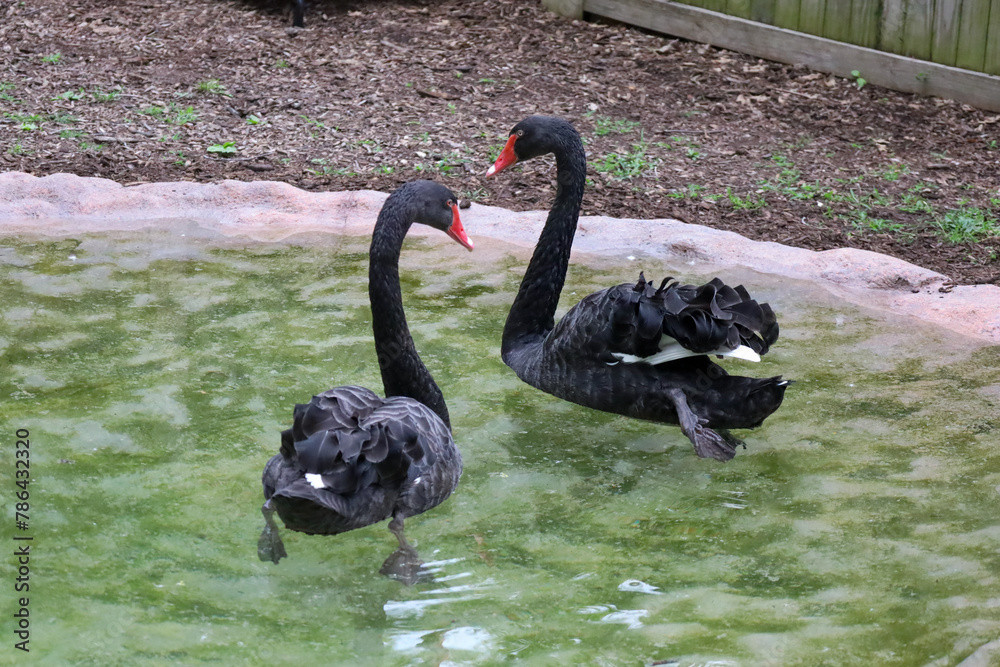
(351, 458)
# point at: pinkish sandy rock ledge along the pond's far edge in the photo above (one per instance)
(63, 204)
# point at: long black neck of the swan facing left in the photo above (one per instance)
(532, 316)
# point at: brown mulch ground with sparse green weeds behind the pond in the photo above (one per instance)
(373, 93)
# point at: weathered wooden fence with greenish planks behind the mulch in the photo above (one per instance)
(946, 48)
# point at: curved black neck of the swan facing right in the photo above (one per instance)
(403, 373)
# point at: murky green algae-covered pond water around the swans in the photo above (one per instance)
(154, 372)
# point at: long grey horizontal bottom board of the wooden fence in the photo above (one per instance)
(879, 68)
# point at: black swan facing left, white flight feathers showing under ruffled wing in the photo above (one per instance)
(633, 349)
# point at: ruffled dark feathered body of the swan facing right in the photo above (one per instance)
(375, 457)
